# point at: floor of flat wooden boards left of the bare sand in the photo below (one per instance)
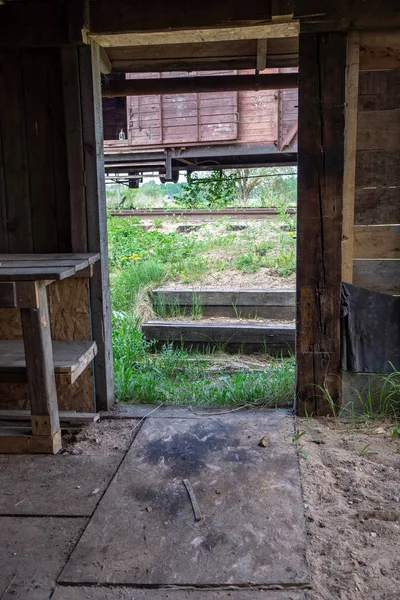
(118, 523)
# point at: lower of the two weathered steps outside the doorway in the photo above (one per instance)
(277, 339)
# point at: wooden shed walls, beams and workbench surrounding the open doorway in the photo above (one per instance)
(52, 192)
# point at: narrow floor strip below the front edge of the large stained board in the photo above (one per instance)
(100, 593)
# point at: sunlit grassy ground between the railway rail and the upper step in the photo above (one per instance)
(210, 249)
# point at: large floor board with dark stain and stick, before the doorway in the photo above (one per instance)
(251, 531)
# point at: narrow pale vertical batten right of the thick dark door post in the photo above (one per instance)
(350, 148)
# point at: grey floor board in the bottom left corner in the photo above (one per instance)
(32, 554)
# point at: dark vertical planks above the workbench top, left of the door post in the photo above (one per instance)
(34, 193)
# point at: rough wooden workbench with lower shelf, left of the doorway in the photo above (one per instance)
(23, 281)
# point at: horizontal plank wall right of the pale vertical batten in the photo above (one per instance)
(377, 180)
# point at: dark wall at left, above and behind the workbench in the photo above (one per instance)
(42, 195)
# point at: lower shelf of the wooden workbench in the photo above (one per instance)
(70, 360)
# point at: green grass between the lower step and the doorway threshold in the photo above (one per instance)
(174, 376)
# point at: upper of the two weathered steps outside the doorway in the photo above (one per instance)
(243, 304)
